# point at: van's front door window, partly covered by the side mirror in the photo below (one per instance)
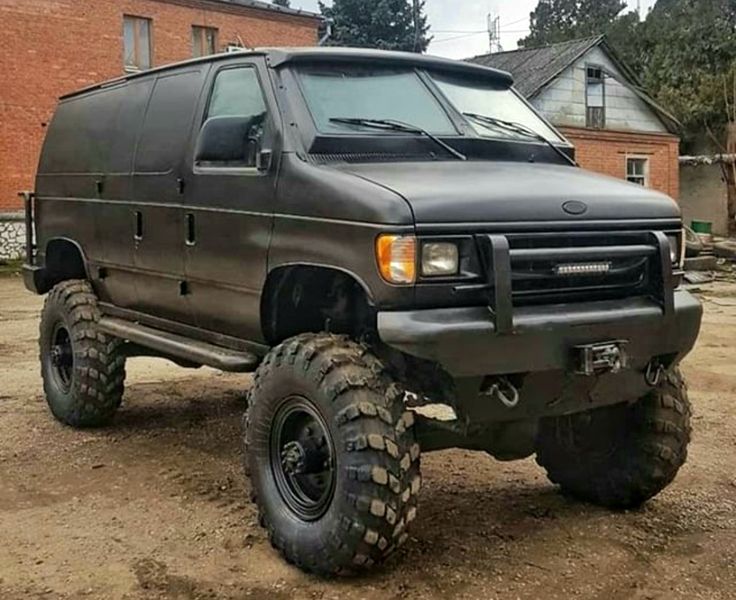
(235, 120)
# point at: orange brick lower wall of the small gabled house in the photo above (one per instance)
(606, 151)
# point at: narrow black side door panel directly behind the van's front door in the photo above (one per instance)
(157, 231)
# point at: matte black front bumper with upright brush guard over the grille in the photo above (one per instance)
(507, 337)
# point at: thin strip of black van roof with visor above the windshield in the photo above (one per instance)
(280, 56)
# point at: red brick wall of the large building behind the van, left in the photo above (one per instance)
(52, 47)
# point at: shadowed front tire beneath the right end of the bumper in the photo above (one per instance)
(620, 456)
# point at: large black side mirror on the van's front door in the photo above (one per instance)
(230, 140)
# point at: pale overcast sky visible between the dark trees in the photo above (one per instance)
(459, 27)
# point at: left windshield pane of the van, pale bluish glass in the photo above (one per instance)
(345, 92)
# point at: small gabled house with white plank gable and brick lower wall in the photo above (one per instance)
(590, 95)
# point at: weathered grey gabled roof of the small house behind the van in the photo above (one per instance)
(535, 68)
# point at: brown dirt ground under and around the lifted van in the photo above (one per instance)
(156, 505)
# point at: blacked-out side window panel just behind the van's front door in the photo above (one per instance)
(168, 122)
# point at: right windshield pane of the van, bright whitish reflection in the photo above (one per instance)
(474, 96)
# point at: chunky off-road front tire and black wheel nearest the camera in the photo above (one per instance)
(330, 452)
